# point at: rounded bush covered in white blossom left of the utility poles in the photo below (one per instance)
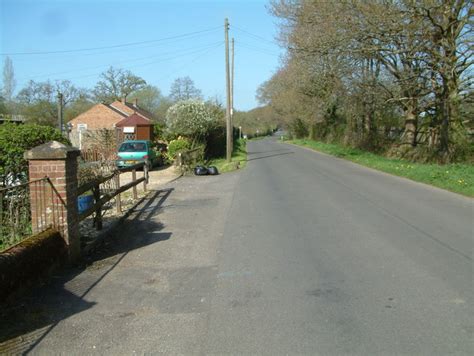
(192, 119)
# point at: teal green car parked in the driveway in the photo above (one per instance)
(133, 152)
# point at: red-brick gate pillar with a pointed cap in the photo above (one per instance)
(58, 162)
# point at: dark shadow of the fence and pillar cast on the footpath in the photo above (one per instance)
(30, 318)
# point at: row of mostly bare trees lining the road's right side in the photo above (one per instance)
(364, 66)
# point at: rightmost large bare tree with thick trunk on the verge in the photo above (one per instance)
(449, 27)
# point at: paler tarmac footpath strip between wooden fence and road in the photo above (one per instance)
(146, 290)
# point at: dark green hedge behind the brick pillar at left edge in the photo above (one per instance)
(16, 139)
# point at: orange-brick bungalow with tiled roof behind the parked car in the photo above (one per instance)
(103, 117)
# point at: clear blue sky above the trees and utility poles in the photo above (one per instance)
(158, 40)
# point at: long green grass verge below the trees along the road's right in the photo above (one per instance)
(458, 178)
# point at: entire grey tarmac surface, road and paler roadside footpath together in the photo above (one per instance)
(299, 253)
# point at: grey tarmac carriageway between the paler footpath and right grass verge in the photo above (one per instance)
(322, 256)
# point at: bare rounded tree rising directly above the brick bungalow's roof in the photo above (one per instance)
(115, 84)
